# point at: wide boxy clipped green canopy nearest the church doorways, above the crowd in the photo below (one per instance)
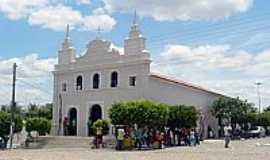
(142, 113)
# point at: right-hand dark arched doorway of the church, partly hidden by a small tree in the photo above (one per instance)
(95, 113)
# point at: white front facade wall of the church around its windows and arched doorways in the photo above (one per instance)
(104, 96)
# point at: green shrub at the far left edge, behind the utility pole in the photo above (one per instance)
(5, 119)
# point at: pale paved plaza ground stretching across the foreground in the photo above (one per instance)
(209, 150)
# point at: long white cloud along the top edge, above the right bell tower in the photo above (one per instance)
(180, 9)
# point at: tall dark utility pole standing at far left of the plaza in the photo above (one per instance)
(13, 105)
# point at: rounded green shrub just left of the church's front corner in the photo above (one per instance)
(41, 125)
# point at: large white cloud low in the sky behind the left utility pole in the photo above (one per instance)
(34, 80)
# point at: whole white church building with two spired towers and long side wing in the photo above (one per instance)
(87, 86)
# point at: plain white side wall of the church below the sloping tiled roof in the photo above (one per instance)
(171, 93)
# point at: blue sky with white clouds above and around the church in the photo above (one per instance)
(221, 45)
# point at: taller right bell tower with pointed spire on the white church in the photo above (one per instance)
(135, 43)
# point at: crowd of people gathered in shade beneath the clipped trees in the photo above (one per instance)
(153, 138)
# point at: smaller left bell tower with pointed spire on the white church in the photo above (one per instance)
(67, 53)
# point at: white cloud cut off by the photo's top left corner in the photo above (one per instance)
(16, 9)
